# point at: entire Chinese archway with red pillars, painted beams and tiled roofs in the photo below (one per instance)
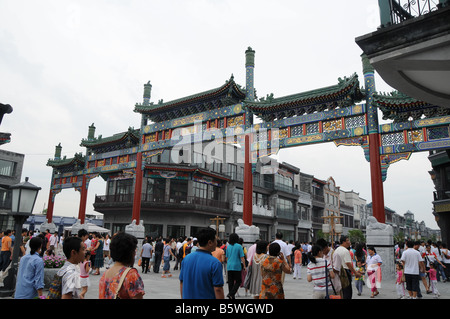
(344, 113)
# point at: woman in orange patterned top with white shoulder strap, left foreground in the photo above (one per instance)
(122, 281)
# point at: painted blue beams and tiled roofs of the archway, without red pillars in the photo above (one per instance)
(335, 114)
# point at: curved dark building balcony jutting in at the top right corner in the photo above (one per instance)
(411, 49)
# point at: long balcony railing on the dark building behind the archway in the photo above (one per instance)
(150, 198)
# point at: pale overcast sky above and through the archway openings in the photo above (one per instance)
(67, 64)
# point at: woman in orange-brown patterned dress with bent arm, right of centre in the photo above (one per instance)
(271, 269)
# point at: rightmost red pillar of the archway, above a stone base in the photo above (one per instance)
(376, 179)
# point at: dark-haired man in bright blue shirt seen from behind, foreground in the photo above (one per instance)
(201, 273)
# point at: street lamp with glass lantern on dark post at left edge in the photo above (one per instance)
(23, 199)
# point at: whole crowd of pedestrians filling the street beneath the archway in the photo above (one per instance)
(208, 264)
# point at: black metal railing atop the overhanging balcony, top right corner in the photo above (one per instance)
(397, 11)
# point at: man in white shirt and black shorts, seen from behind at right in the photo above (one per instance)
(412, 264)
